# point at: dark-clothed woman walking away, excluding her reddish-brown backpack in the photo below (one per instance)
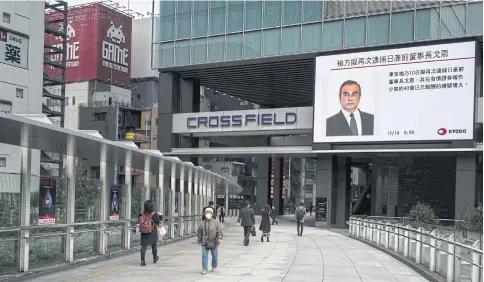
(150, 239)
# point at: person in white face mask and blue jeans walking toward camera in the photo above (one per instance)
(210, 236)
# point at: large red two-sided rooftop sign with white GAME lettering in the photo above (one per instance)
(98, 45)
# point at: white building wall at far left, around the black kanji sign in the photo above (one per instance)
(27, 19)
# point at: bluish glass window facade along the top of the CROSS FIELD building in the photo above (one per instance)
(233, 30)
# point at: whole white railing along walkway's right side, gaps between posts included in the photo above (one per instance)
(449, 255)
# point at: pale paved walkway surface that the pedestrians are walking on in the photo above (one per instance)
(319, 255)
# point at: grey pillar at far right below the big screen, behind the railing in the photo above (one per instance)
(465, 184)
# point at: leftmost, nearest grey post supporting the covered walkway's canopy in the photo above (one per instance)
(25, 180)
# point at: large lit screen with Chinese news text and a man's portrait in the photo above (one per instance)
(406, 94)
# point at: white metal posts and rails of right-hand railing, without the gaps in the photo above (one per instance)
(400, 231)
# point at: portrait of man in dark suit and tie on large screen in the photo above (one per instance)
(350, 121)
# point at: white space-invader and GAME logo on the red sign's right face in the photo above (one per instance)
(111, 49)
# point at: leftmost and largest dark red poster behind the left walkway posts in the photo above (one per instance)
(47, 200)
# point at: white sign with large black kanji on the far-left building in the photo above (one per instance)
(13, 49)
